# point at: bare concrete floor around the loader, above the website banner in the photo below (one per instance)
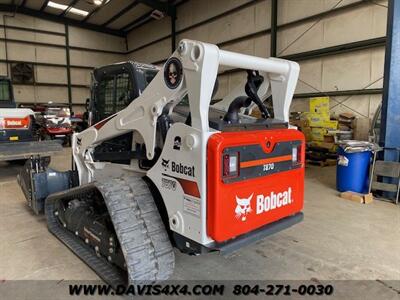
(338, 239)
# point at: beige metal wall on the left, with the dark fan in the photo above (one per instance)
(43, 43)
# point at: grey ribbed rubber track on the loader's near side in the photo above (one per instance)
(144, 241)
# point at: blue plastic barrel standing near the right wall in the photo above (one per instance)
(353, 171)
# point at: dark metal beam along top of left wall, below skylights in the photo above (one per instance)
(58, 19)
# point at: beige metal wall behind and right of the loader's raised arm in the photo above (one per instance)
(244, 26)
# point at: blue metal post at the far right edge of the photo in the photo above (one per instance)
(389, 133)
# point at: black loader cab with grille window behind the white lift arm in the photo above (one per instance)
(114, 87)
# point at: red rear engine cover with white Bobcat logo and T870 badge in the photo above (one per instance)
(268, 186)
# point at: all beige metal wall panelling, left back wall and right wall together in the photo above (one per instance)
(237, 25)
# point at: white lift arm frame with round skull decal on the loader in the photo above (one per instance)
(192, 69)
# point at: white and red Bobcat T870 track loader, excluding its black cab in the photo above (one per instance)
(208, 178)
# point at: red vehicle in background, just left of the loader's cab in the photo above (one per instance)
(55, 123)
